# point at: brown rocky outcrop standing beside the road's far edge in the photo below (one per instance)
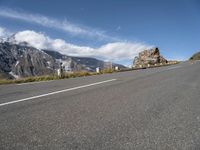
(149, 57)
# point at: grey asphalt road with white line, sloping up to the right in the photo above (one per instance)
(155, 108)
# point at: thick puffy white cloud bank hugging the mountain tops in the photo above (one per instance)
(116, 51)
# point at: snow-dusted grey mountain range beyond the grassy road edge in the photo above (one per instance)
(22, 60)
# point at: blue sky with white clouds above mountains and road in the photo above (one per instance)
(109, 27)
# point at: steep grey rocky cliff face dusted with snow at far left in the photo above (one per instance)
(23, 61)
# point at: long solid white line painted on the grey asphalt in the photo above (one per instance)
(56, 92)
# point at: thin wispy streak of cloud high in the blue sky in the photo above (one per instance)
(65, 25)
